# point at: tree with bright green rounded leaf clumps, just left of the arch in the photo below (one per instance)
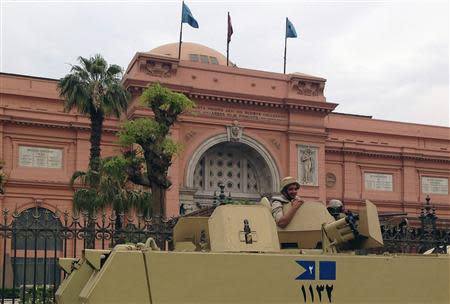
(153, 137)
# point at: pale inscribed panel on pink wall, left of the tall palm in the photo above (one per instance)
(38, 157)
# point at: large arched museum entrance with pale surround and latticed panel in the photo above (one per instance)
(245, 168)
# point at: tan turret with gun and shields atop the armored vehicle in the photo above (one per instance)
(251, 228)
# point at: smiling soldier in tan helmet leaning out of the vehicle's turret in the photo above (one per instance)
(285, 205)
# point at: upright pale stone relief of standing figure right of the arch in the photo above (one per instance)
(308, 165)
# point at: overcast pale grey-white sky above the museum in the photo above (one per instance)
(387, 59)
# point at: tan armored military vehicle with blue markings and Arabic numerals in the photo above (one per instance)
(238, 255)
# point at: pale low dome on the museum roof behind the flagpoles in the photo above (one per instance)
(191, 52)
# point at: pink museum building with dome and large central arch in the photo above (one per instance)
(250, 128)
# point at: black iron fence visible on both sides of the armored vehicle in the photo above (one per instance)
(32, 241)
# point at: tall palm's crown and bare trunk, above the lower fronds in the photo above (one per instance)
(94, 89)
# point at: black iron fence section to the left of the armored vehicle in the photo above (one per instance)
(31, 242)
